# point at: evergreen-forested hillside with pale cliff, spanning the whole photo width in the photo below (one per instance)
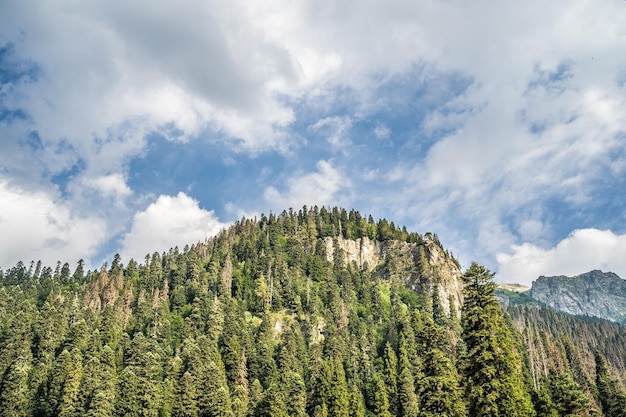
(320, 312)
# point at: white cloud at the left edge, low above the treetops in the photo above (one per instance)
(34, 224)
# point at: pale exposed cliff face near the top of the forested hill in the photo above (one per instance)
(424, 264)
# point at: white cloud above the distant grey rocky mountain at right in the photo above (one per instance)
(582, 251)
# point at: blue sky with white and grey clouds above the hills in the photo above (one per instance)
(135, 127)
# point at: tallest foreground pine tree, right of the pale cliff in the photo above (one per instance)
(491, 370)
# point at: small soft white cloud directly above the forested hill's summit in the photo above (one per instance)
(327, 186)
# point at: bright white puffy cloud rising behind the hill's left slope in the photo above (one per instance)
(166, 223)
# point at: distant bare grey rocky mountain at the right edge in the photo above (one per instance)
(595, 293)
